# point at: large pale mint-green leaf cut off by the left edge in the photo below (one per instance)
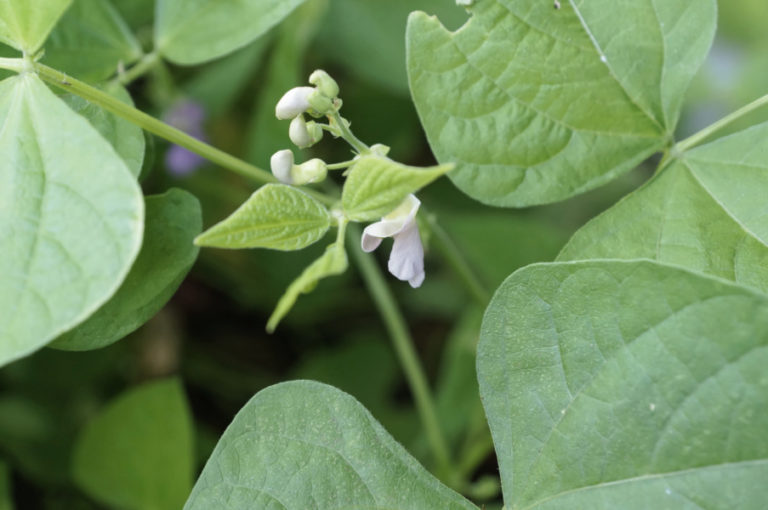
(71, 218)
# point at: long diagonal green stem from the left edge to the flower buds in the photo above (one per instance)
(149, 123)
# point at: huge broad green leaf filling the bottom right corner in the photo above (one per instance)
(626, 384)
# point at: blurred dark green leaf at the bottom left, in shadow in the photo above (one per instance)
(137, 454)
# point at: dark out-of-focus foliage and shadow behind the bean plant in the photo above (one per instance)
(211, 335)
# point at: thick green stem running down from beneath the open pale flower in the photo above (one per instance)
(401, 338)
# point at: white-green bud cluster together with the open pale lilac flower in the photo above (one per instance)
(406, 260)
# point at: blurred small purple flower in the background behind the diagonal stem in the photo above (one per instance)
(187, 116)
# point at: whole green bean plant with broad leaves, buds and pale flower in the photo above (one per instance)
(629, 373)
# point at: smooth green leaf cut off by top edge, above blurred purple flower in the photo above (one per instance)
(193, 31)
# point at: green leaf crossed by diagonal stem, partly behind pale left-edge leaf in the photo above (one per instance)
(126, 138)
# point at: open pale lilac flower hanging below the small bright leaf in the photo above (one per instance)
(406, 260)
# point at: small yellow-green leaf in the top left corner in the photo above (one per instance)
(25, 24)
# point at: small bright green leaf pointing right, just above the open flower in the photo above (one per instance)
(375, 186)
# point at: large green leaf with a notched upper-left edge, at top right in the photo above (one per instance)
(536, 104)
